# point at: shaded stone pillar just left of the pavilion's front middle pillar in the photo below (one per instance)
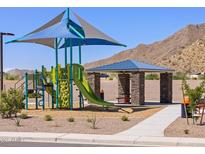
(123, 86)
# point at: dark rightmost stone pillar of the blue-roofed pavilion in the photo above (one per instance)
(166, 88)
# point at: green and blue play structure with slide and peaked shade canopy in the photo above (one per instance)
(63, 33)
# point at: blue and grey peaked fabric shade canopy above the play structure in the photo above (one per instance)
(83, 34)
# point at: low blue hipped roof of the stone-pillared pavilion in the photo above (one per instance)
(129, 66)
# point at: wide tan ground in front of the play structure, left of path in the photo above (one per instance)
(108, 122)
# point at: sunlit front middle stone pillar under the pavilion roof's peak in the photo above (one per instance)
(137, 88)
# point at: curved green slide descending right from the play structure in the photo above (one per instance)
(84, 87)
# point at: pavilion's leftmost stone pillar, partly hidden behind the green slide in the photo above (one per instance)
(94, 81)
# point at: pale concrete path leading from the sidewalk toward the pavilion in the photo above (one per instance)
(156, 124)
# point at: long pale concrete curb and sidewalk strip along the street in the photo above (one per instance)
(100, 139)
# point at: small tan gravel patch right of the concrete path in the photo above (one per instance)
(176, 129)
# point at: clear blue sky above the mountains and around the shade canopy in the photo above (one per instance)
(130, 26)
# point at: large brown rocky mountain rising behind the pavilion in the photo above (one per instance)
(183, 51)
